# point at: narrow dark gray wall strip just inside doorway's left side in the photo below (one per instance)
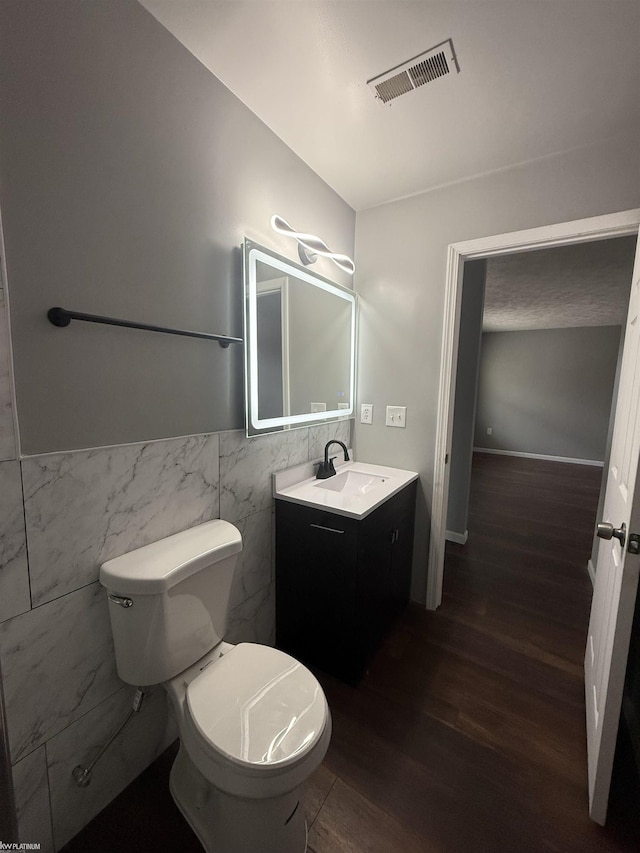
(467, 372)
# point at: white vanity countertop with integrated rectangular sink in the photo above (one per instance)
(356, 489)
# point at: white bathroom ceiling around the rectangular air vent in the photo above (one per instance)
(537, 77)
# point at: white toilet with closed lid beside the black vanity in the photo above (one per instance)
(254, 722)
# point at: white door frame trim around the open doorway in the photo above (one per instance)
(562, 234)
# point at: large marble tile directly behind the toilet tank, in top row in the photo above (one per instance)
(125, 496)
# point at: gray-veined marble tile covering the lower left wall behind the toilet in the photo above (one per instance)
(63, 698)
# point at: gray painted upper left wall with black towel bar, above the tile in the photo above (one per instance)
(130, 176)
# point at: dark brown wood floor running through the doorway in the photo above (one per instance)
(467, 734)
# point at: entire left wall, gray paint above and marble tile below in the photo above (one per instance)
(129, 177)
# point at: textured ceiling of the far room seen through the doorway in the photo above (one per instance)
(586, 284)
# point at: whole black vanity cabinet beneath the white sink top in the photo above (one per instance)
(341, 581)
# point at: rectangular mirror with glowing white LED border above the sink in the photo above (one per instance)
(300, 344)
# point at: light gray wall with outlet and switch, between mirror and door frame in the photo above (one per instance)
(401, 253)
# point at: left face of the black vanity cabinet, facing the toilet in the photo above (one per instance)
(316, 586)
